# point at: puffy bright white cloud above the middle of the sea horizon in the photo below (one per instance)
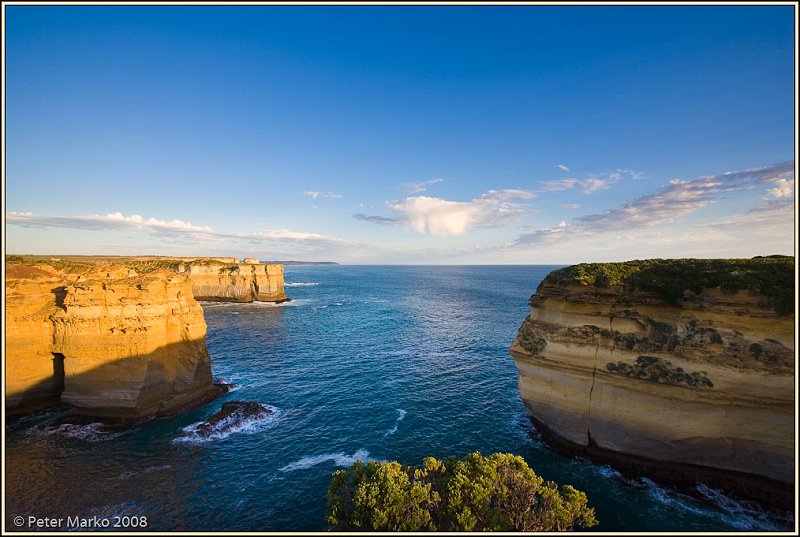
(445, 218)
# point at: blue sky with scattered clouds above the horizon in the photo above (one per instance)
(400, 134)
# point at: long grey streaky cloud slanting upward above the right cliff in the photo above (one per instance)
(676, 199)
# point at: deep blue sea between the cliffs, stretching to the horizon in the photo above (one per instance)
(365, 362)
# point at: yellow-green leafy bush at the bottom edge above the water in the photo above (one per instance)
(499, 492)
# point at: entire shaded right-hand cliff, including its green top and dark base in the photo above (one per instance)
(679, 369)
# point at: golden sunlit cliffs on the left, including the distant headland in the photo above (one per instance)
(122, 341)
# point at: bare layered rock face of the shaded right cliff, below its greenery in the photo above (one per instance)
(707, 381)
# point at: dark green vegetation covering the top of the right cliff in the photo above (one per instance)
(771, 276)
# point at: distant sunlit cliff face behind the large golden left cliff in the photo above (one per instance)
(241, 282)
